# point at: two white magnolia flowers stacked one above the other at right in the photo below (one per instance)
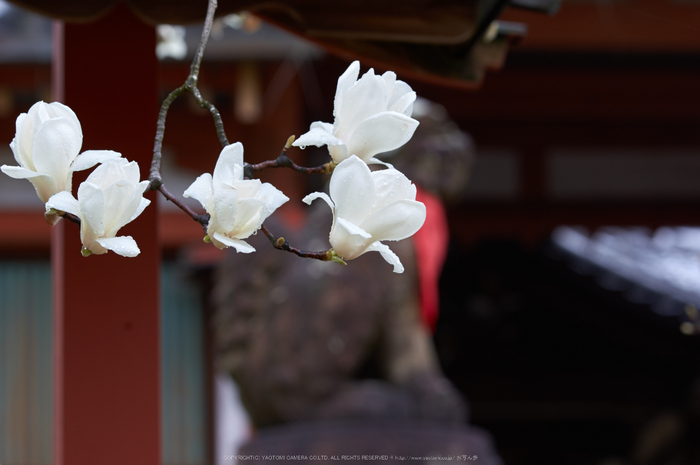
(372, 116)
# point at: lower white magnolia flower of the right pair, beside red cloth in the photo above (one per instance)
(369, 207)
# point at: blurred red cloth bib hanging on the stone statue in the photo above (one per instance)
(431, 243)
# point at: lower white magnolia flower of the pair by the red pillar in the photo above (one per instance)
(110, 197)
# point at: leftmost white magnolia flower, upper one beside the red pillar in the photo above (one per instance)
(46, 145)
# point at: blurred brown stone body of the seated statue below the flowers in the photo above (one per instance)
(306, 339)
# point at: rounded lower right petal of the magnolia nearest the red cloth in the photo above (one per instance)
(396, 221)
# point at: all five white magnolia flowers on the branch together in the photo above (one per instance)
(372, 115)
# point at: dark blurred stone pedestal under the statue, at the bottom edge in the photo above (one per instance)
(369, 441)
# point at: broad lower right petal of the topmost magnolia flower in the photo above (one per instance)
(381, 133)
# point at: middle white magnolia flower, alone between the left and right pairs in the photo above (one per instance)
(237, 207)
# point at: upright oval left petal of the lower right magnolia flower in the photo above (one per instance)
(352, 189)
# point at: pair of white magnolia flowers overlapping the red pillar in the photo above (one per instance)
(47, 146)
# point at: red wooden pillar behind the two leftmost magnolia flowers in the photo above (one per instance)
(106, 307)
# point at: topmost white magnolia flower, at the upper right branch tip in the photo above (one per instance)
(372, 115)
